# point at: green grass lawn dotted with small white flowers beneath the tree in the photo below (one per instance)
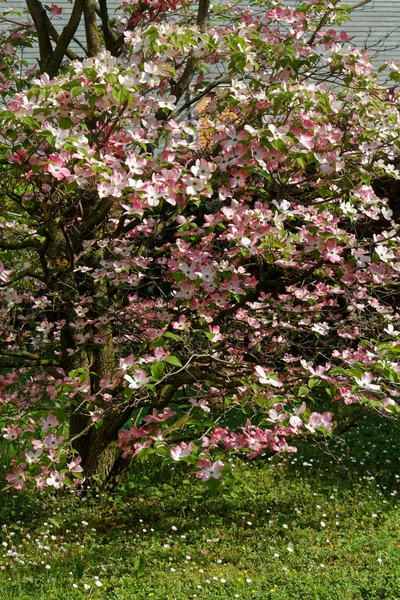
(322, 524)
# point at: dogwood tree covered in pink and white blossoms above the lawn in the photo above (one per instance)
(193, 278)
